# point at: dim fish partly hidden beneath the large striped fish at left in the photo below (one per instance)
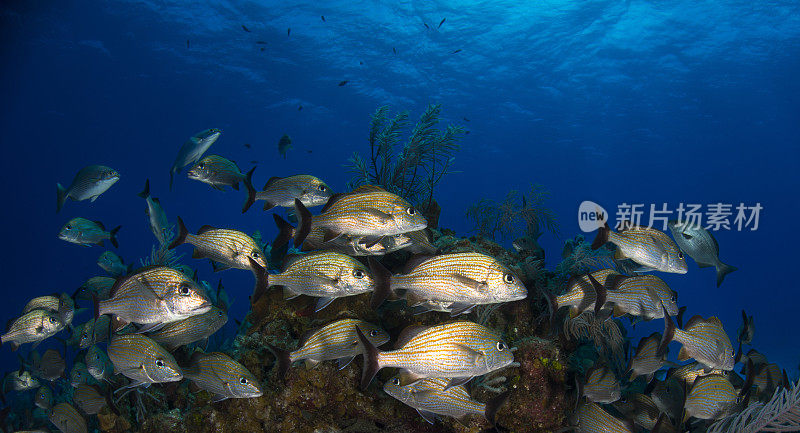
(191, 329)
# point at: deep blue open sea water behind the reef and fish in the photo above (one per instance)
(614, 102)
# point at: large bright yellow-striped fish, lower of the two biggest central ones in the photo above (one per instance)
(458, 351)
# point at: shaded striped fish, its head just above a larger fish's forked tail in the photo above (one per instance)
(334, 341)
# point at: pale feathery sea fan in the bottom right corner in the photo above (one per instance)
(780, 414)
